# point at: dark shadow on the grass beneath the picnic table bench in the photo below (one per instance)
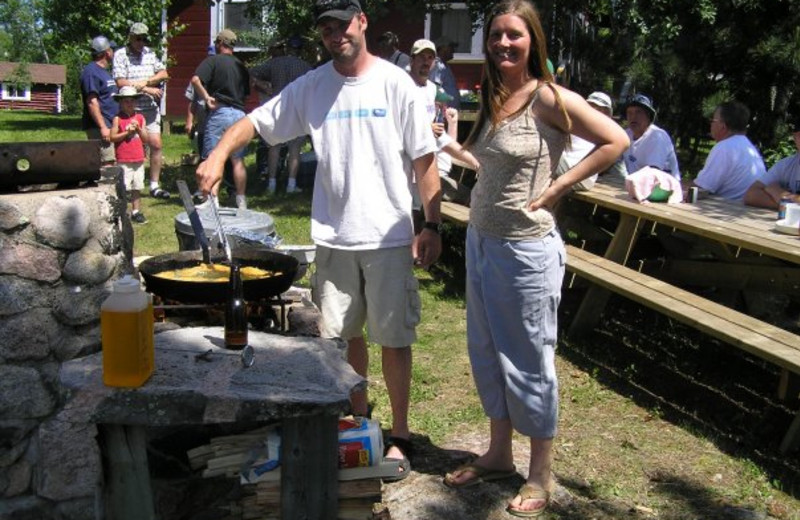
(707, 387)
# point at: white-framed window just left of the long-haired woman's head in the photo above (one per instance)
(452, 20)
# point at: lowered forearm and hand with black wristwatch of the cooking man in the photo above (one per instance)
(427, 246)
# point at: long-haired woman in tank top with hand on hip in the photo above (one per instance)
(515, 256)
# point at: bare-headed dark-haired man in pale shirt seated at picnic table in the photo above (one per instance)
(734, 162)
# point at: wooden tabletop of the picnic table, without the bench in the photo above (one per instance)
(713, 218)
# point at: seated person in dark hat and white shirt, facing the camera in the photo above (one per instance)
(651, 145)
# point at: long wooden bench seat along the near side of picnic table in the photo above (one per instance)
(776, 345)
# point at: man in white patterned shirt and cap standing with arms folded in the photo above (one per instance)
(137, 65)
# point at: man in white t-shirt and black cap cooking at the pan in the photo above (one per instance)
(370, 131)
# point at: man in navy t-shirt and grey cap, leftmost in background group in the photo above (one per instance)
(97, 89)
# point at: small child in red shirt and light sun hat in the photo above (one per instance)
(129, 135)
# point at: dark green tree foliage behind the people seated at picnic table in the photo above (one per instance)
(688, 55)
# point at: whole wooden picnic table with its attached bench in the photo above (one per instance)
(739, 248)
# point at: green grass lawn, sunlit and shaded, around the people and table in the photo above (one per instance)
(656, 420)
